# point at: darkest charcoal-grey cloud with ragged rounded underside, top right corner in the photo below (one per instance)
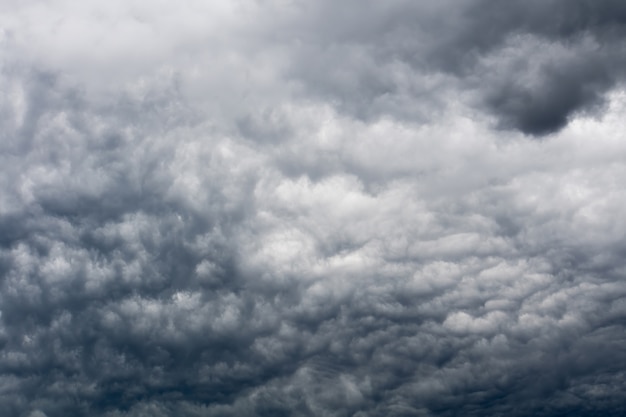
(573, 59)
